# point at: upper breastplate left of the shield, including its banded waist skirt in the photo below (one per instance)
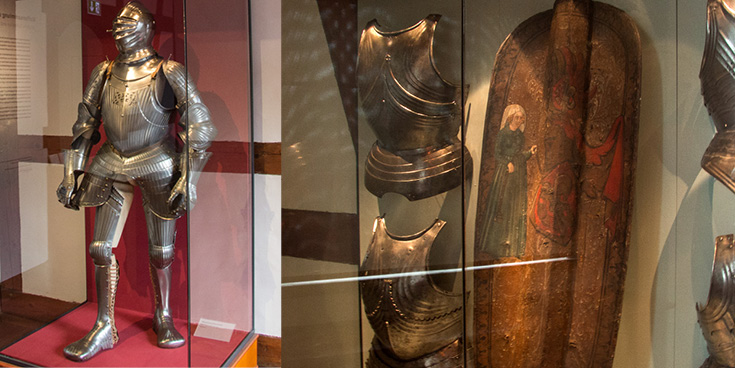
(414, 112)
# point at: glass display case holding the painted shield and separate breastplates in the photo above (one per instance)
(565, 266)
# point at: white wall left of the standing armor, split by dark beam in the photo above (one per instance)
(53, 246)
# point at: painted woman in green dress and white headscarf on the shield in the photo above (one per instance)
(503, 233)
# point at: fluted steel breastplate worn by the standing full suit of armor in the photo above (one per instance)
(132, 115)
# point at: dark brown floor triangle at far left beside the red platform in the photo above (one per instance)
(21, 314)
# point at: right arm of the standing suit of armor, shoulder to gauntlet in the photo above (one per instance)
(198, 134)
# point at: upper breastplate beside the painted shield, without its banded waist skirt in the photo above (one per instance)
(408, 104)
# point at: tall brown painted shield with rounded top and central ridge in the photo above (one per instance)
(559, 152)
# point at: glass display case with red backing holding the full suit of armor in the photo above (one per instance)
(48, 54)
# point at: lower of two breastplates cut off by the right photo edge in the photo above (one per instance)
(716, 317)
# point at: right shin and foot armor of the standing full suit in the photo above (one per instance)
(163, 323)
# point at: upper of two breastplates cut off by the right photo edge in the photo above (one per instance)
(717, 75)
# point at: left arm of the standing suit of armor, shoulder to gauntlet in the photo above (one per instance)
(85, 135)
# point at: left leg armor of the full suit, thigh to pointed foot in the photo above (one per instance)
(104, 333)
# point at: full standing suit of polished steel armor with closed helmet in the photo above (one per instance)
(134, 96)
